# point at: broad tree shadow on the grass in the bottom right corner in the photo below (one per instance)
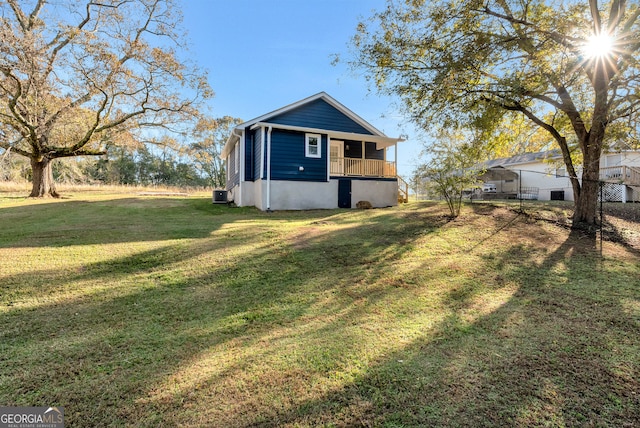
(561, 350)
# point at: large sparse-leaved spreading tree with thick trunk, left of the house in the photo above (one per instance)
(75, 75)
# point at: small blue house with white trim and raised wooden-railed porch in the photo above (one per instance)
(314, 153)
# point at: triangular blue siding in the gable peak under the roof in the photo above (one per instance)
(319, 114)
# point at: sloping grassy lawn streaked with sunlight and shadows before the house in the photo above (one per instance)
(133, 310)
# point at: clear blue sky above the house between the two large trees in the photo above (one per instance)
(262, 55)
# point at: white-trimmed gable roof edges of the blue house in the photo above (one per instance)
(375, 134)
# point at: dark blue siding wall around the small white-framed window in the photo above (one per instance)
(287, 156)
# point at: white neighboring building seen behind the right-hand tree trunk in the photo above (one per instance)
(543, 176)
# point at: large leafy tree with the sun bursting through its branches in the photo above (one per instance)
(570, 67)
